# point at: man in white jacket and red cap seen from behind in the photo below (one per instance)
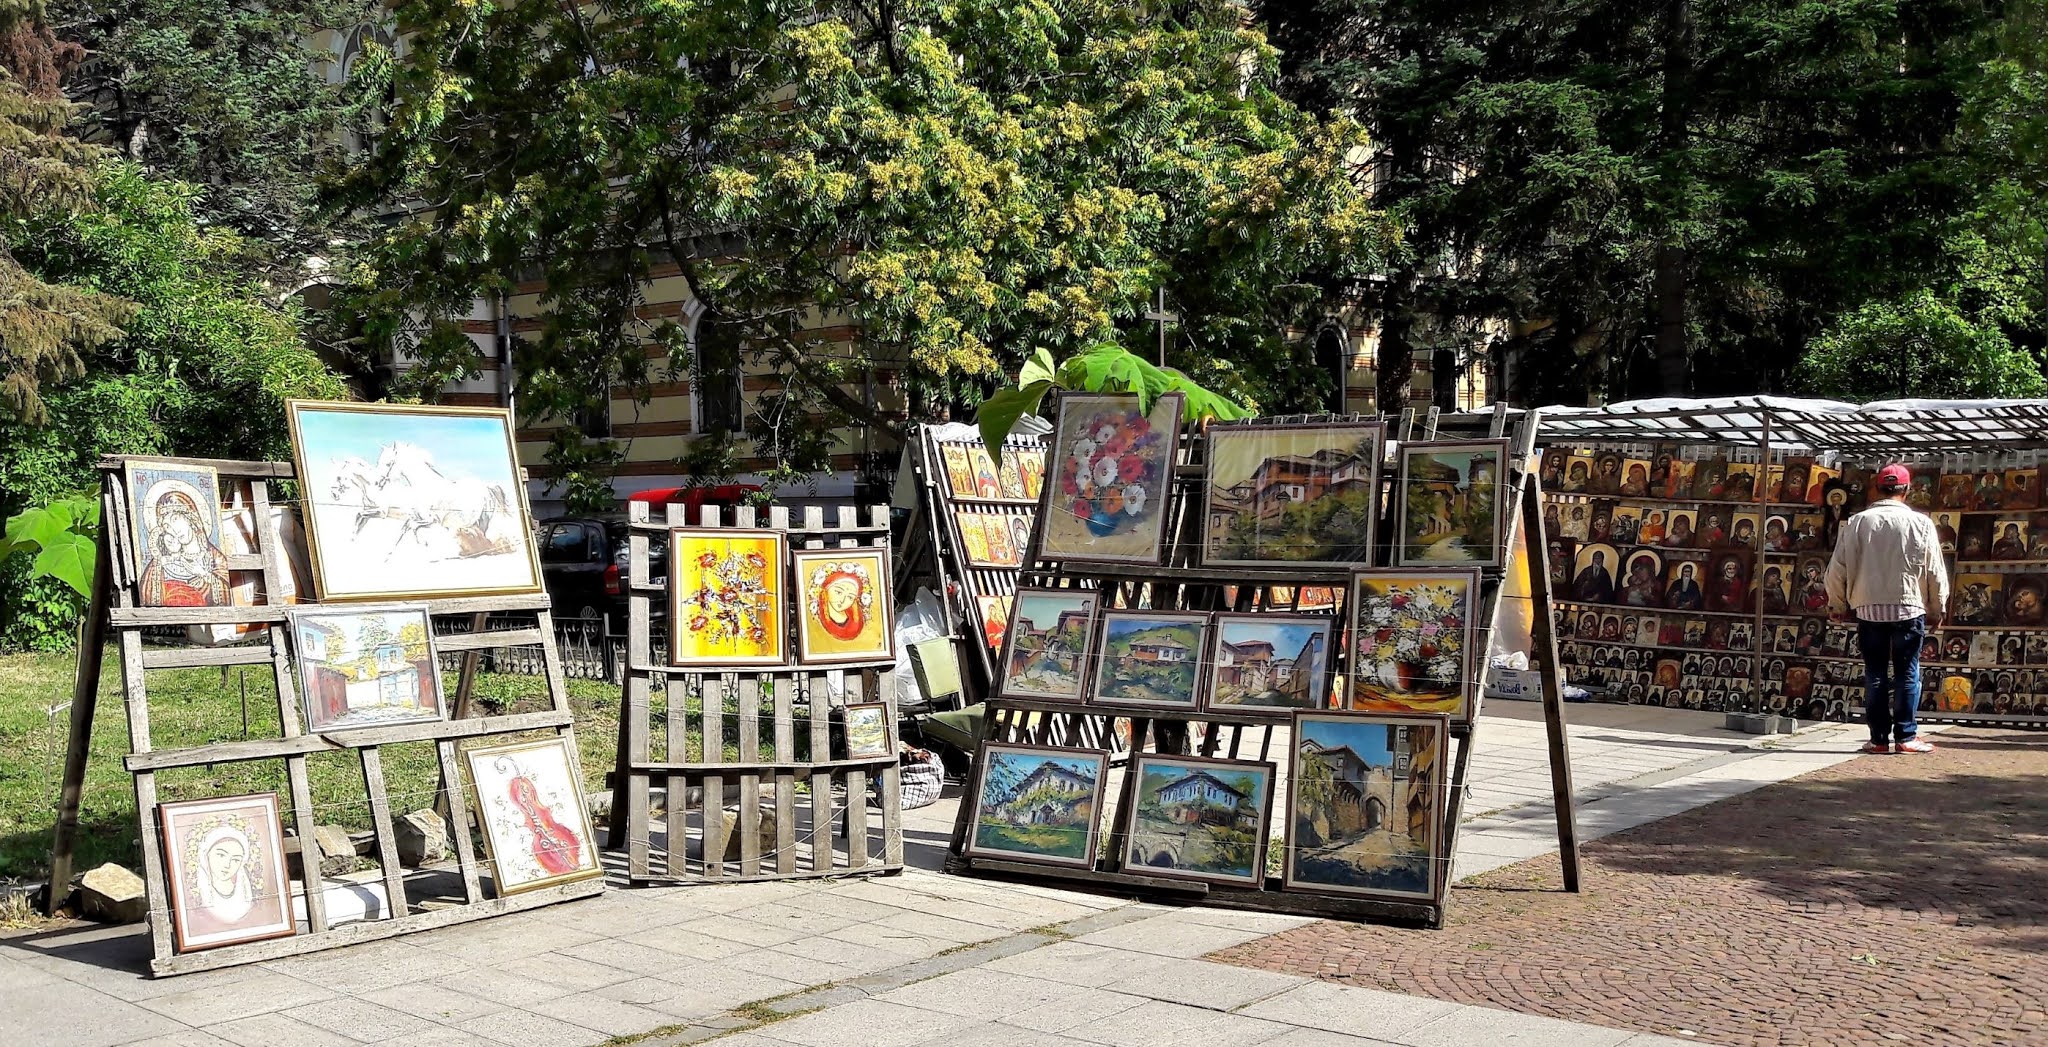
(1889, 573)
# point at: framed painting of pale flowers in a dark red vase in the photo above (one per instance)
(1412, 640)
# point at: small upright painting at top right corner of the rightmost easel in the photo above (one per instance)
(1451, 507)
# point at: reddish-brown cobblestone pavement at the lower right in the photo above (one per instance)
(1889, 898)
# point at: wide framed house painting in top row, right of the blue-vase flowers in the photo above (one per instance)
(1263, 483)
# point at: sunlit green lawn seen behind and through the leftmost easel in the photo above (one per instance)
(200, 706)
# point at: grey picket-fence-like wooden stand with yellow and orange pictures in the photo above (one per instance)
(798, 698)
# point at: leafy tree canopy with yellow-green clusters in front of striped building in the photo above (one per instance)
(962, 183)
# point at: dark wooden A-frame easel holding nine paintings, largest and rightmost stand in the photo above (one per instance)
(1185, 587)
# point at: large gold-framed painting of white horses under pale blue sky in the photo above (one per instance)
(413, 503)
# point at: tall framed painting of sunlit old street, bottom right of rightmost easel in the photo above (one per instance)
(1367, 806)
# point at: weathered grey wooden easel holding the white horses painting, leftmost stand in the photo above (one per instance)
(114, 610)
